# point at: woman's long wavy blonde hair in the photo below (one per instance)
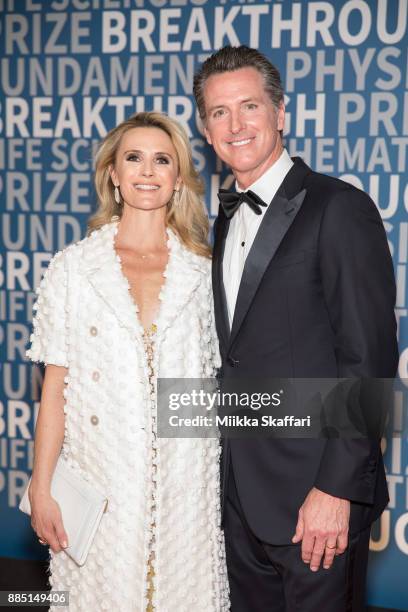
(188, 218)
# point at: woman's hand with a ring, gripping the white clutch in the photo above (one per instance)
(46, 520)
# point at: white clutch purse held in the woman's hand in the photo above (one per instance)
(81, 507)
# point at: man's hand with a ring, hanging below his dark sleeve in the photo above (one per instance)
(322, 526)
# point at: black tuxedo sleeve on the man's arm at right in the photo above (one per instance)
(359, 291)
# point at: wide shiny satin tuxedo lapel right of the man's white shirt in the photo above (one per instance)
(276, 222)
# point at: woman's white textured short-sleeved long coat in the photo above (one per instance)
(87, 321)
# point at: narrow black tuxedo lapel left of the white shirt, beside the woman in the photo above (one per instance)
(220, 300)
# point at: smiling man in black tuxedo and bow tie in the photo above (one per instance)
(303, 287)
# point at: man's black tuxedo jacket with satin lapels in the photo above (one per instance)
(316, 300)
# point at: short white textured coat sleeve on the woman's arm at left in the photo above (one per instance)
(49, 337)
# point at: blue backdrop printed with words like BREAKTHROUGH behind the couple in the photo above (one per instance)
(72, 69)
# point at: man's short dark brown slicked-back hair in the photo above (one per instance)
(229, 59)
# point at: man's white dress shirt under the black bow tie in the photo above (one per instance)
(244, 226)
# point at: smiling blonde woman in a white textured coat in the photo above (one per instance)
(131, 302)
